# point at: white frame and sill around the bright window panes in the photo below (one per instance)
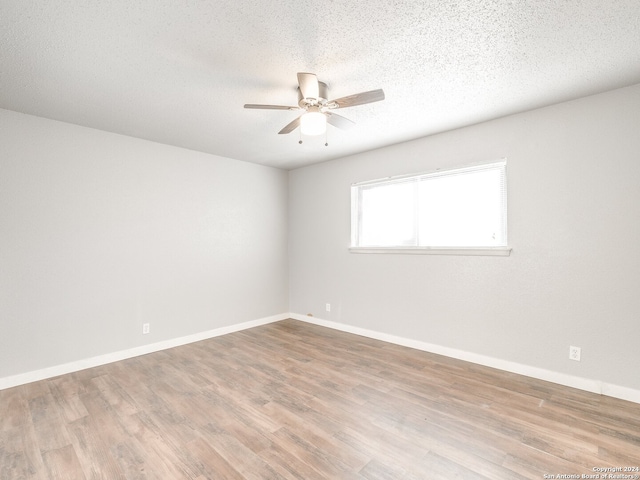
(437, 250)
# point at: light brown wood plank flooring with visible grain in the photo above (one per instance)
(291, 400)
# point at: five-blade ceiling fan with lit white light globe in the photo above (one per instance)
(318, 111)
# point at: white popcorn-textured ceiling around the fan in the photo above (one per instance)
(179, 72)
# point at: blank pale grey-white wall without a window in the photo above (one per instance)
(100, 233)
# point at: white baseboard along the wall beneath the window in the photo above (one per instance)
(595, 386)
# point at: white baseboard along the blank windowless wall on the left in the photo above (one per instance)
(49, 372)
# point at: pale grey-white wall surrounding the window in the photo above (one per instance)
(573, 277)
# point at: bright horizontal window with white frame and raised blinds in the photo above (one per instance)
(461, 209)
